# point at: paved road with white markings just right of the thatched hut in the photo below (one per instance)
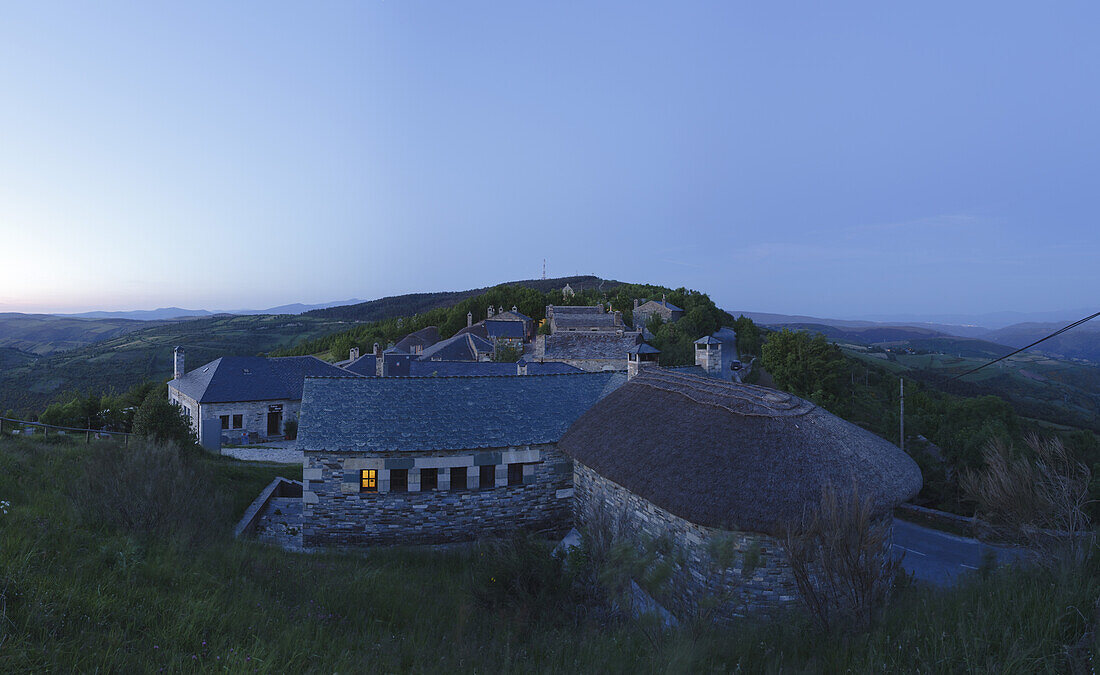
(940, 558)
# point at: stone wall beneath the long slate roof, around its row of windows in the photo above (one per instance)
(336, 513)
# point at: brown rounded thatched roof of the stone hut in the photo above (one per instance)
(733, 457)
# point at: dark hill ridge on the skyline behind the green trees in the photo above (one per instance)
(422, 303)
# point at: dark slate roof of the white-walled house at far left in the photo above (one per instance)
(252, 379)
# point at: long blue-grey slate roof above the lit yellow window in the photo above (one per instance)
(435, 414)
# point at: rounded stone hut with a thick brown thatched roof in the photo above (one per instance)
(719, 471)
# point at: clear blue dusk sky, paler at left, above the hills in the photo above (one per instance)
(838, 160)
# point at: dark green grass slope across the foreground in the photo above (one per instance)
(85, 597)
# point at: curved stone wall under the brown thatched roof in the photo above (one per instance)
(758, 581)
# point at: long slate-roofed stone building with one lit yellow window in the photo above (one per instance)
(435, 460)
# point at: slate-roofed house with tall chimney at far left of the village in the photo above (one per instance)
(244, 397)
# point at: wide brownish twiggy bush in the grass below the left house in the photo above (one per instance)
(149, 491)
